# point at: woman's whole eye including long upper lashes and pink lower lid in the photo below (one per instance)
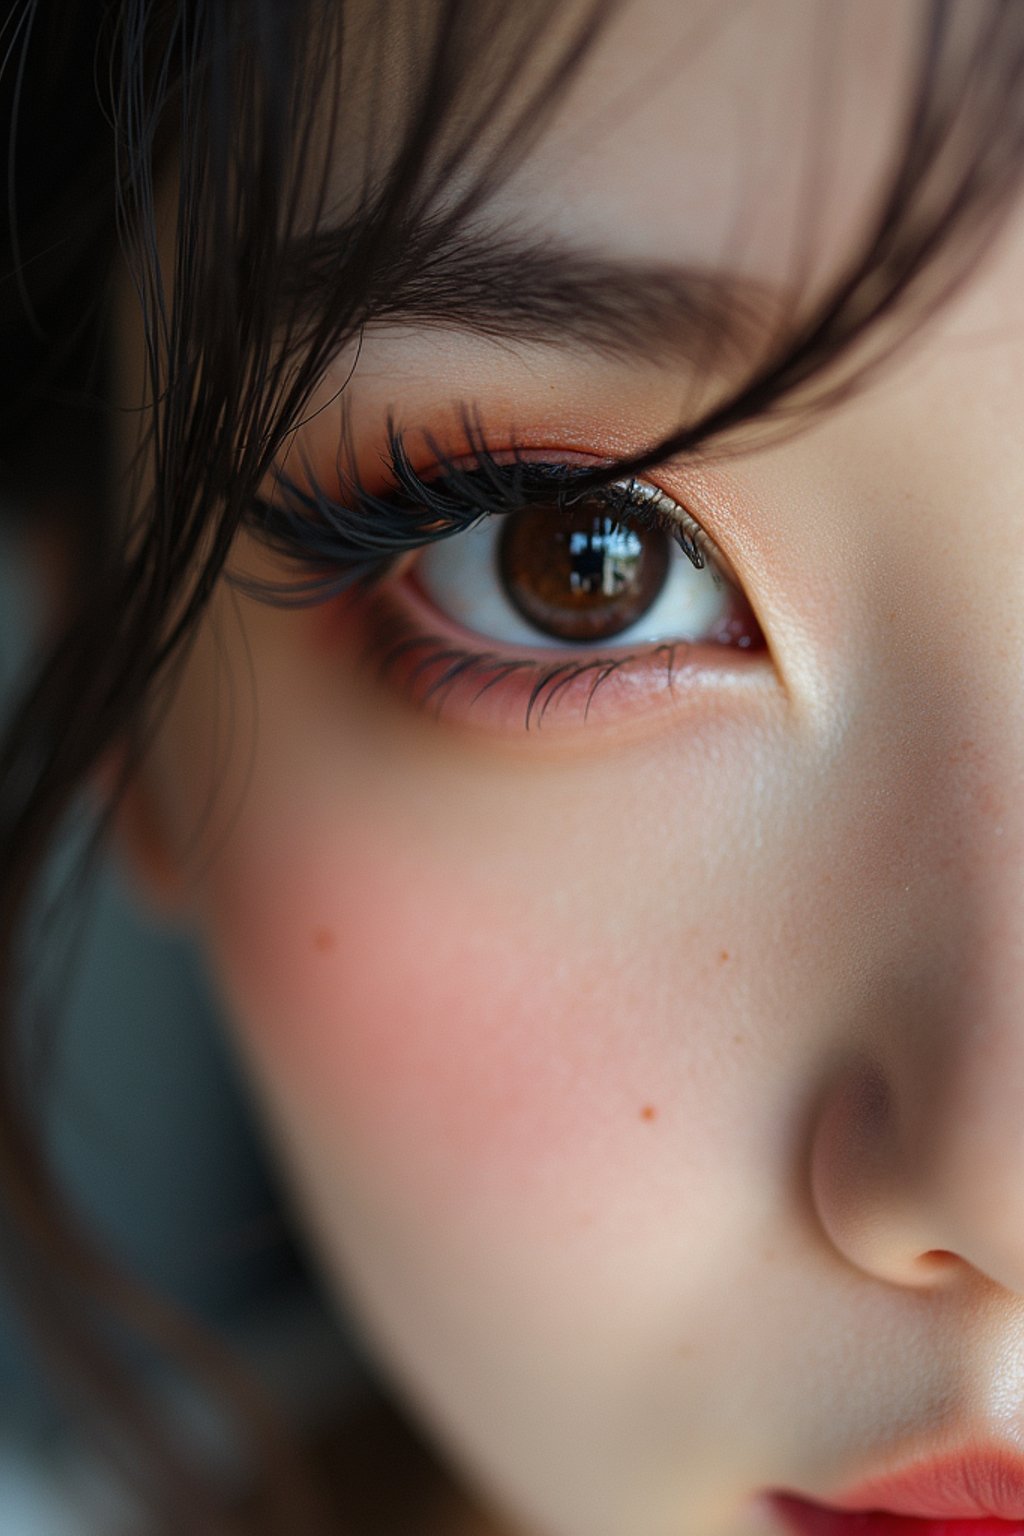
(518, 591)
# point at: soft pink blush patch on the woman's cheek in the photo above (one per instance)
(411, 1027)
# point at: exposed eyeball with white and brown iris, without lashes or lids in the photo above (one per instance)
(587, 575)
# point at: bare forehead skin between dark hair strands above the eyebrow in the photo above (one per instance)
(725, 131)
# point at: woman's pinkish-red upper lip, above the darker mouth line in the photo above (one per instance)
(976, 1483)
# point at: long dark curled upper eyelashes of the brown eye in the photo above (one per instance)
(354, 541)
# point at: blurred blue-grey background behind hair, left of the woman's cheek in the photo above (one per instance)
(156, 1142)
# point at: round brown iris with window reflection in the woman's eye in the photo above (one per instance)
(578, 575)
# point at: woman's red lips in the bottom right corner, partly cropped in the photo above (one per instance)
(968, 1495)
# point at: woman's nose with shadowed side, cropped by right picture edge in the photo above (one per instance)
(917, 1136)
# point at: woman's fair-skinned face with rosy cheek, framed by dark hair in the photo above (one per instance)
(647, 1064)
